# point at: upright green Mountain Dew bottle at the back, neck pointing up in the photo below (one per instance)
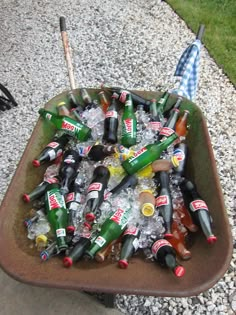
(129, 124)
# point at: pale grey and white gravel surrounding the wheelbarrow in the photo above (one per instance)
(135, 44)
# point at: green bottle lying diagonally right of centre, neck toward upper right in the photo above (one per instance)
(147, 155)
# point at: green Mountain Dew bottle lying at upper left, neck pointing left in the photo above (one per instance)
(67, 124)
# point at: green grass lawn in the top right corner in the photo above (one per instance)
(219, 18)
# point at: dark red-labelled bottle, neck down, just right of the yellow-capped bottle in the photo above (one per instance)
(164, 202)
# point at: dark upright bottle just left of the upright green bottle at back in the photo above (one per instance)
(111, 122)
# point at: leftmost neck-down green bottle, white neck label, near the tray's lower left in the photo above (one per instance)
(57, 214)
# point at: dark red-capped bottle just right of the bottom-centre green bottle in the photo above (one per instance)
(130, 244)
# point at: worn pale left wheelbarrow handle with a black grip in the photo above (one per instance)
(67, 52)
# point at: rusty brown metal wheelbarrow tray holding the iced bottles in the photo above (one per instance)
(207, 265)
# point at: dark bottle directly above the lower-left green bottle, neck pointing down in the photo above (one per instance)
(68, 168)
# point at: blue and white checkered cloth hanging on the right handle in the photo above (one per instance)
(188, 69)
